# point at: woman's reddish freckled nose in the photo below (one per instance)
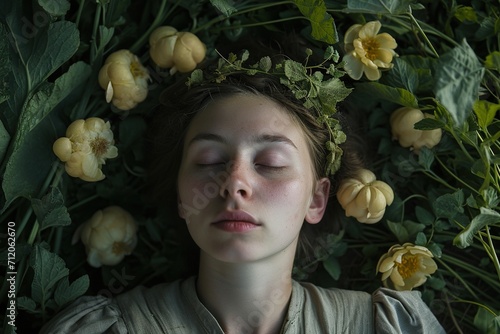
(237, 184)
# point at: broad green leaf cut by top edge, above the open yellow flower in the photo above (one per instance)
(379, 6)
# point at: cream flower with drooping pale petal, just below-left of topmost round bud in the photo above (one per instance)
(124, 79)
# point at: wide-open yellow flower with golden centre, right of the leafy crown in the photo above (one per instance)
(367, 51)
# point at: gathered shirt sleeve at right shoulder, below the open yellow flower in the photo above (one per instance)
(403, 312)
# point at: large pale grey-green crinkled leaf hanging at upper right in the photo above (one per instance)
(457, 80)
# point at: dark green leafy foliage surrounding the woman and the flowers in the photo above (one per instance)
(447, 198)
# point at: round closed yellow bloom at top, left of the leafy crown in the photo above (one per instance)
(179, 51)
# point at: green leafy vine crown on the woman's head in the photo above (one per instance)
(318, 87)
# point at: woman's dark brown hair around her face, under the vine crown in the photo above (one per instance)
(180, 104)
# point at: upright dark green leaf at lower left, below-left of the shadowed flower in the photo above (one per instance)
(49, 269)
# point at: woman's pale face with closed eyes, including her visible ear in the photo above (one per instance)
(246, 180)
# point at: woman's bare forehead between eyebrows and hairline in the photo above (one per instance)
(244, 114)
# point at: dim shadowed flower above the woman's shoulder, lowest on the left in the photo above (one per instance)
(108, 236)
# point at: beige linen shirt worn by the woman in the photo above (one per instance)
(175, 308)
